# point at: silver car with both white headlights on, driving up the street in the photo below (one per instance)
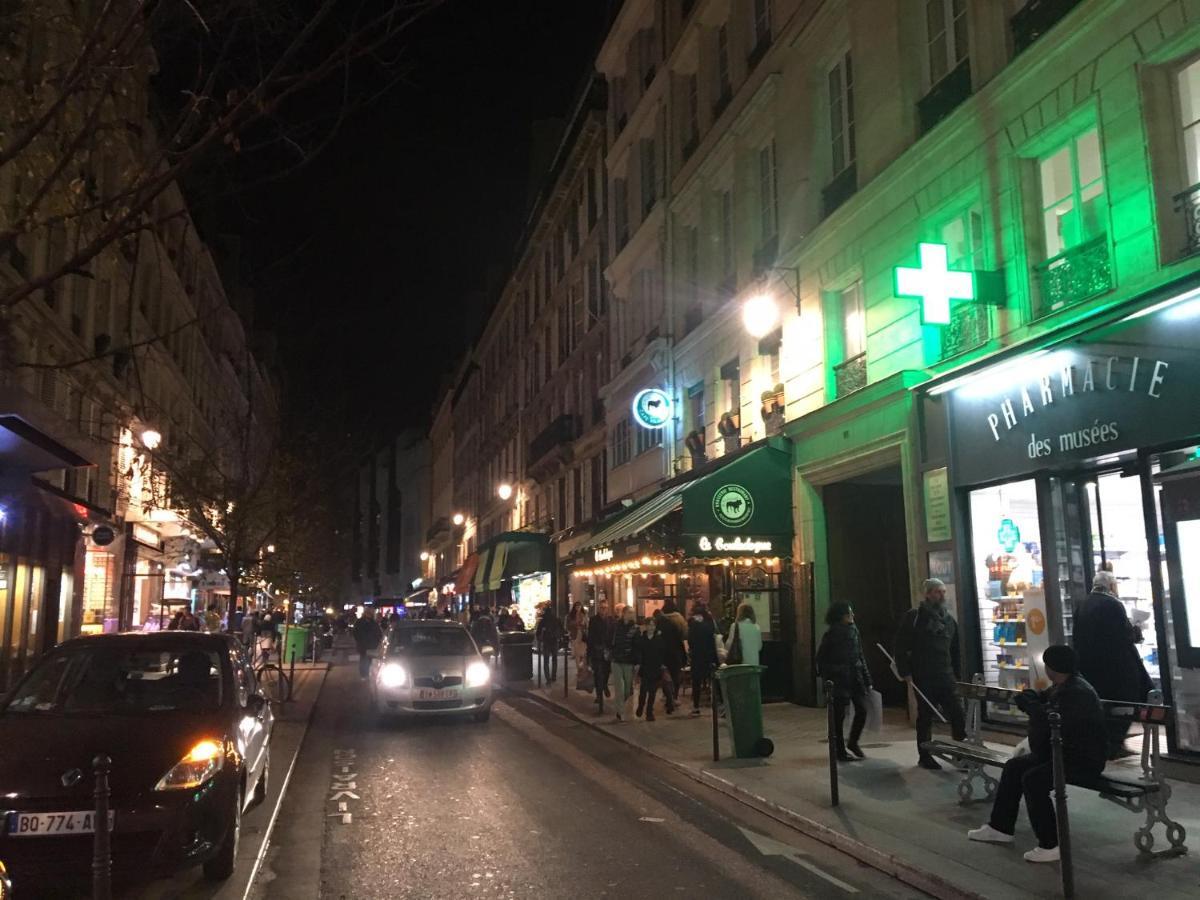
(431, 668)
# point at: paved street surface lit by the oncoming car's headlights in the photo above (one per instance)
(530, 805)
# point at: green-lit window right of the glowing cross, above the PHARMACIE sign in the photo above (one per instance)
(1075, 207)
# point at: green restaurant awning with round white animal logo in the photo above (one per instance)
(740, 507)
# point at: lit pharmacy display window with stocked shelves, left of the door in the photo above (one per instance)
(1010, 587)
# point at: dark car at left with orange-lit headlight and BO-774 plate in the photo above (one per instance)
(189, 736)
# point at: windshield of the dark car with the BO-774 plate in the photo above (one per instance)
(113, 681)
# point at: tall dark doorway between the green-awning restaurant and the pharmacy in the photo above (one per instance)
(868, 553)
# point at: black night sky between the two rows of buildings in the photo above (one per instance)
(375, 263)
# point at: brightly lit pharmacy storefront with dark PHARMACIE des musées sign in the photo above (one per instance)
(1057, 464)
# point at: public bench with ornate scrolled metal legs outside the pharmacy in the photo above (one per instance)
(1147, 794)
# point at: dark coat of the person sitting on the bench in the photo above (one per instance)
(1084, 736)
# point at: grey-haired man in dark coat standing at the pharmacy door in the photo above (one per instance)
(1108, 653)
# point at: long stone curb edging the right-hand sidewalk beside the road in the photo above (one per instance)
(887, 863)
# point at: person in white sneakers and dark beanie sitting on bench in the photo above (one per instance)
(1084, 749)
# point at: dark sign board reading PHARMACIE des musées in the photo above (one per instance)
(1135, 383)
